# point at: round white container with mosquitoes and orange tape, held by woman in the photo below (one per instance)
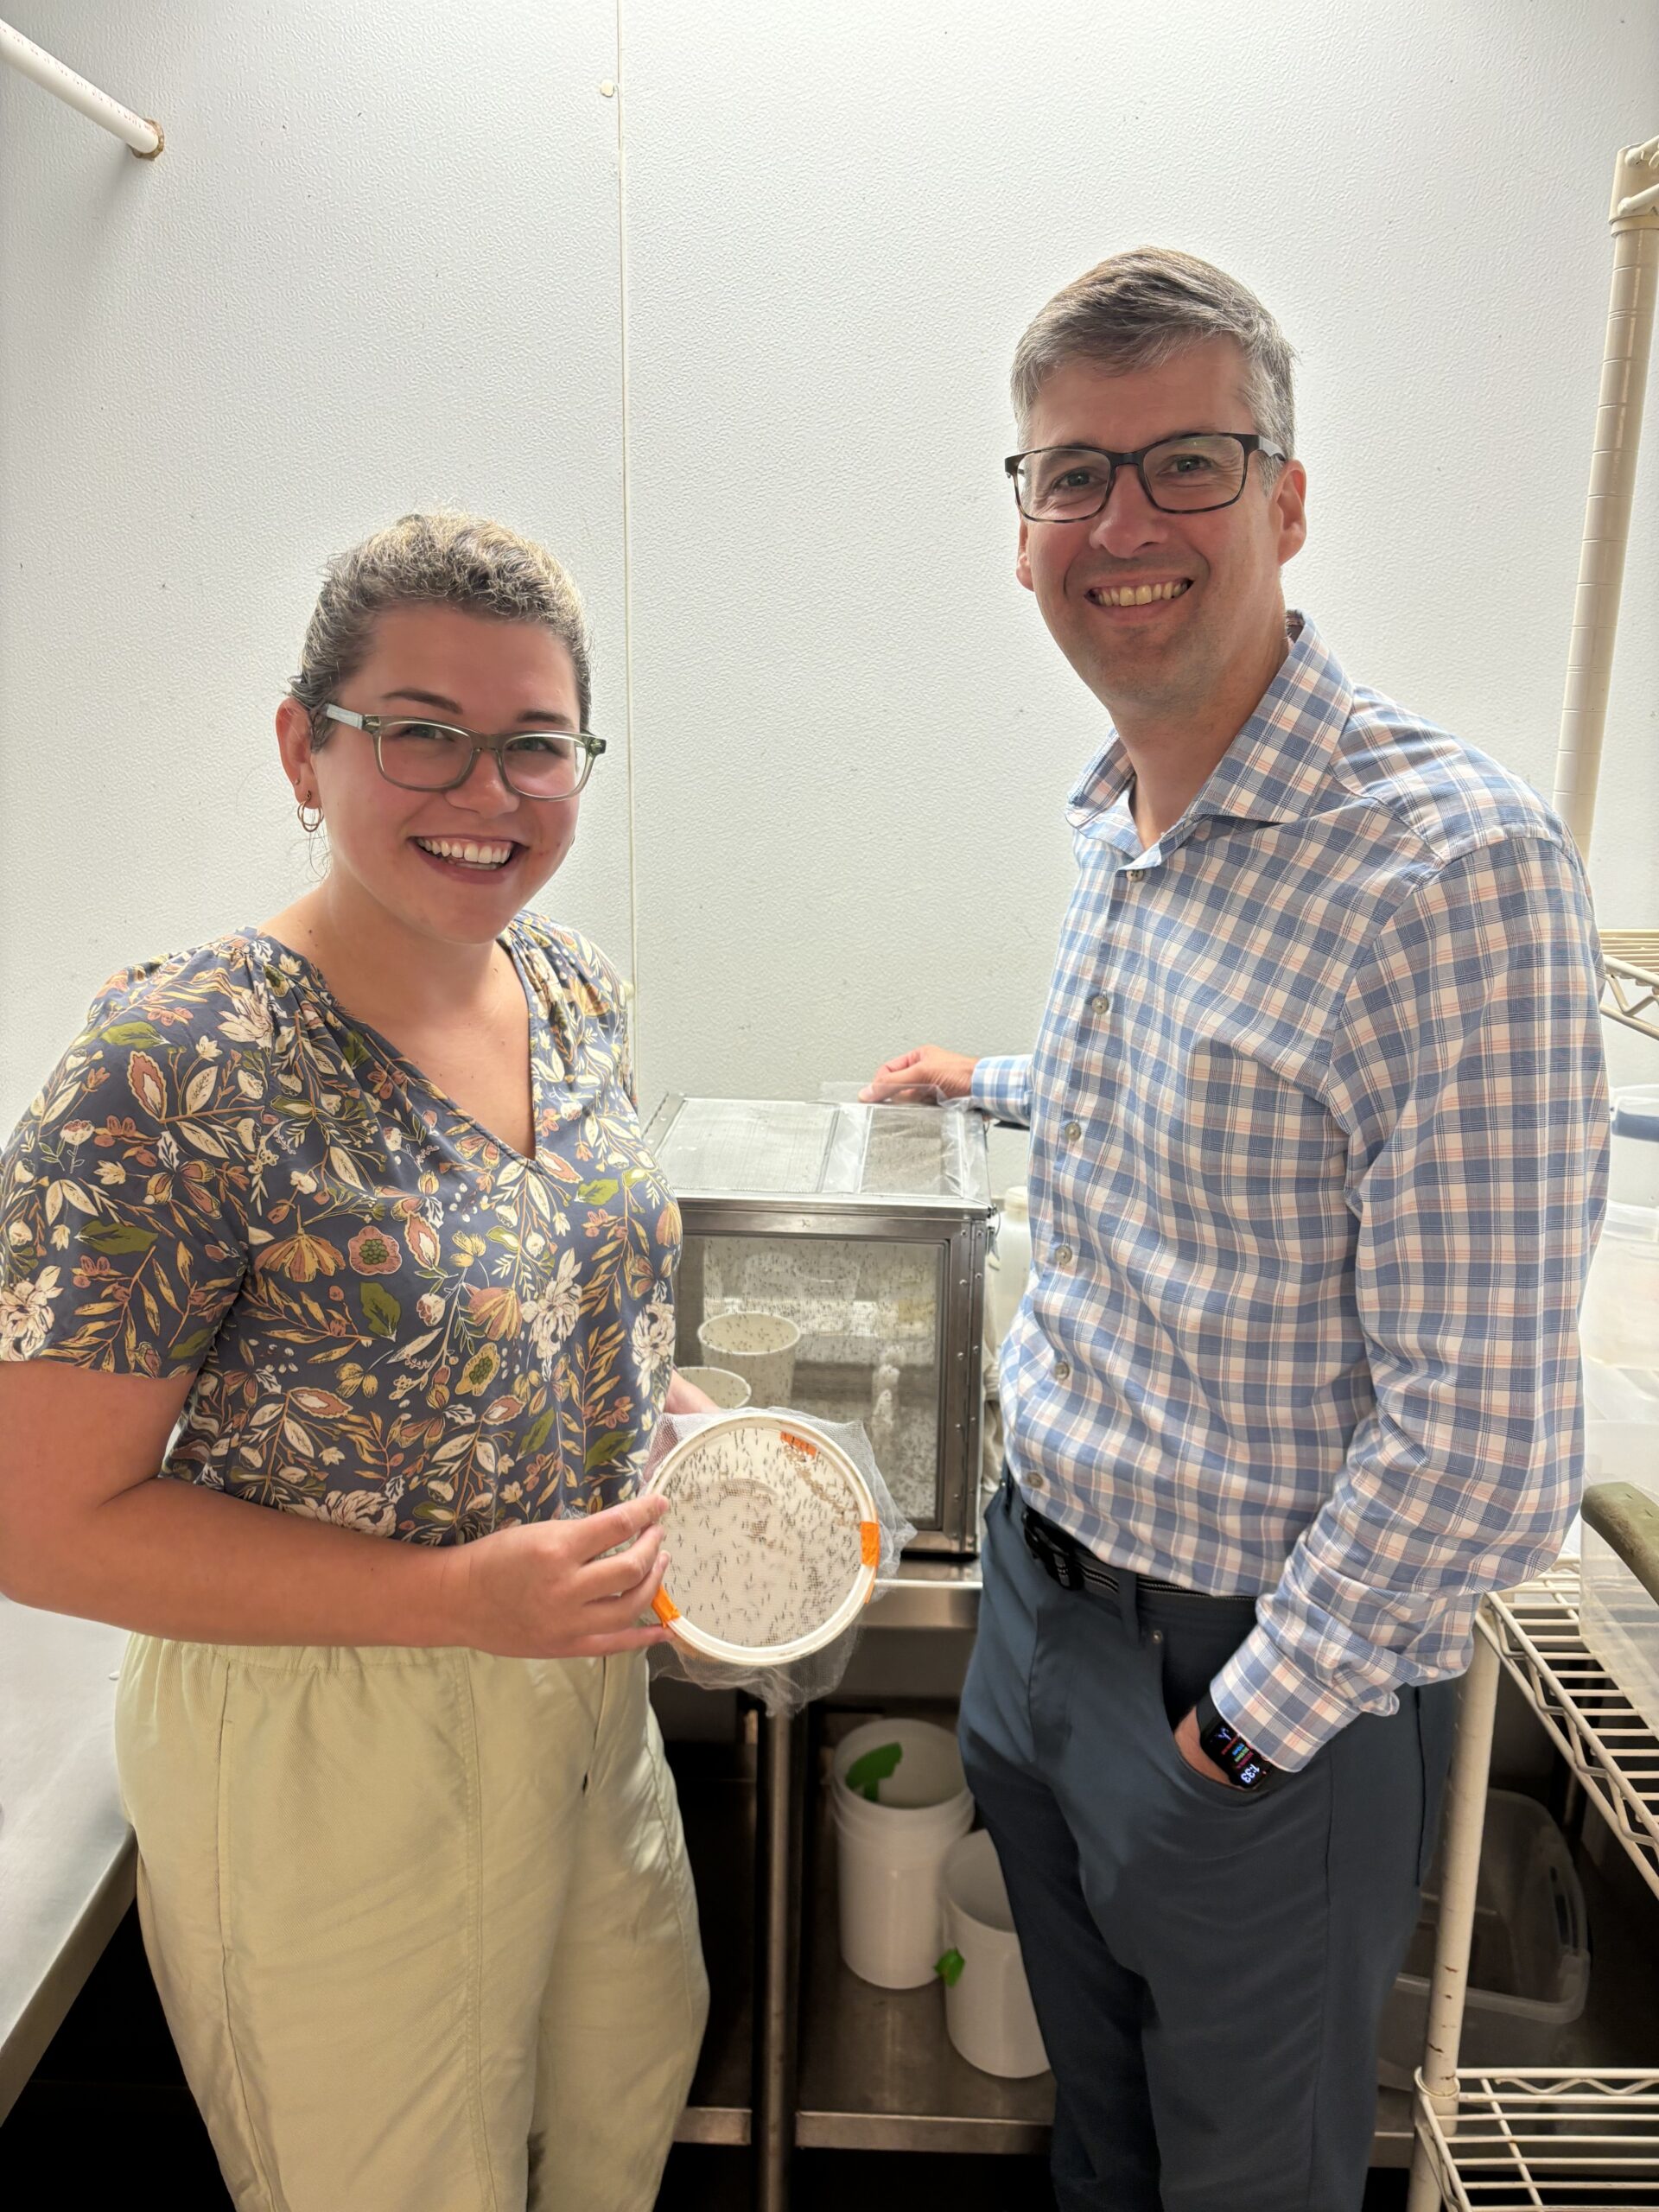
(773, 1541)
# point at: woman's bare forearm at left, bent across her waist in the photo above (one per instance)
(176, 1561)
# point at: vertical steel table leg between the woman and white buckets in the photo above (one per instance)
(780, 1835)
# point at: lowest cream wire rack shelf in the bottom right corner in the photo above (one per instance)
(1561, 2140)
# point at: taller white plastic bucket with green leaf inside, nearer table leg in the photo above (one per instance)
(890, 1850)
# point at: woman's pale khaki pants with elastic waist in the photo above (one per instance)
(421, 1923)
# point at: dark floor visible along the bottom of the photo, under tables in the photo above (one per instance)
(107, 2120)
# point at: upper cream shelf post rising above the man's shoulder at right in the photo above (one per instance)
(1614, 472)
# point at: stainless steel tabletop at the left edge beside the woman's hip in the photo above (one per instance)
(65, 1850)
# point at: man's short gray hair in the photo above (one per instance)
(1147, 306)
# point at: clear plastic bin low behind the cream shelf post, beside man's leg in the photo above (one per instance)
(1530, 1968)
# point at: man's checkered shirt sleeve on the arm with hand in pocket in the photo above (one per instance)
(1470, 1083)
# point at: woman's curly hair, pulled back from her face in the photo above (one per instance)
(435, 561)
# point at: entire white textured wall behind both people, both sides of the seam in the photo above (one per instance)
(379, 264)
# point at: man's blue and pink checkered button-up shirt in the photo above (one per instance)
(1317, 1165)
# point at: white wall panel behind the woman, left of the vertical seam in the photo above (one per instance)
(377, 267)
